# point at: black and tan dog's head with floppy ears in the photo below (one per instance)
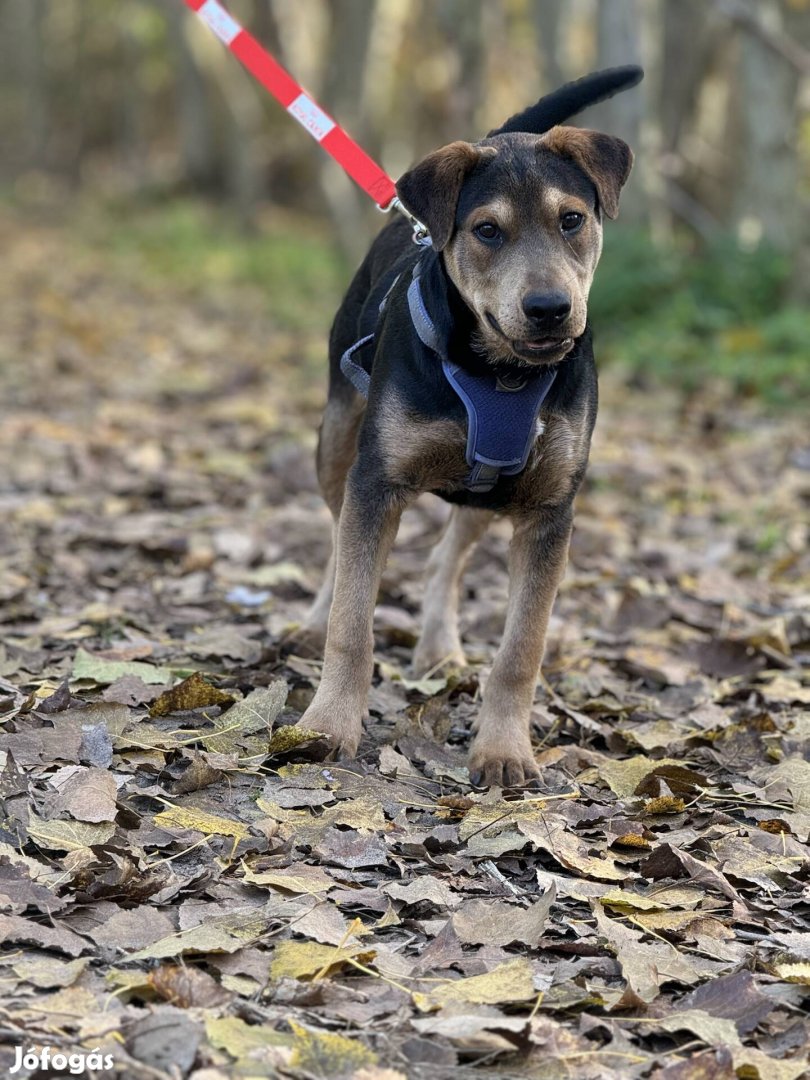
(519, 222)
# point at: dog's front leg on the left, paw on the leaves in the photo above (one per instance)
(369, 522)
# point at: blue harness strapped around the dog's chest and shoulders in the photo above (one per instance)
(502, 410)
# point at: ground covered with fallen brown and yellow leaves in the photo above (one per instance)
(182, 887)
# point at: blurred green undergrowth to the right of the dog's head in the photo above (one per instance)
(686, 318)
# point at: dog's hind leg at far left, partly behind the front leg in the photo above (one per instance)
(337, 448)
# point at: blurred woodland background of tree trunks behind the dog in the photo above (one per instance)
(138, 100)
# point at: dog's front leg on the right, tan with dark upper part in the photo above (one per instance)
(502, 750)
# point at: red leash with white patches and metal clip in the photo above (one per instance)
(362, 169)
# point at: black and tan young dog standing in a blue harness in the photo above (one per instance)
(466, 369)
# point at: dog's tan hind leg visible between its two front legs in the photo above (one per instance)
(439, 642)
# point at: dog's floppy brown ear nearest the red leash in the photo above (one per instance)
(430, 191)
